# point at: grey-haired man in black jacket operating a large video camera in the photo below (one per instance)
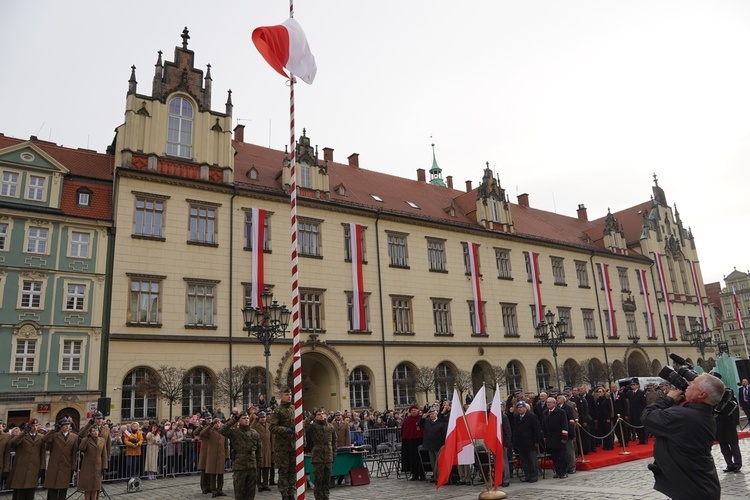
(683, 465)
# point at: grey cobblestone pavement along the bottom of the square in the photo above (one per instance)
(631, 480)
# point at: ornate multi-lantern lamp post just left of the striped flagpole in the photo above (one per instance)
(266, 323)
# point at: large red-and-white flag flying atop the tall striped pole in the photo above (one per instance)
(285, 46)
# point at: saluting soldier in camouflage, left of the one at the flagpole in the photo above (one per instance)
(247, 455)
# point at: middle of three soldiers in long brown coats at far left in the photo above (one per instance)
(63, 446)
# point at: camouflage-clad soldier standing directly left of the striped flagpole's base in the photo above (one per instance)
(282, 428)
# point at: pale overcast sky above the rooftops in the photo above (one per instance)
(572, 102)
